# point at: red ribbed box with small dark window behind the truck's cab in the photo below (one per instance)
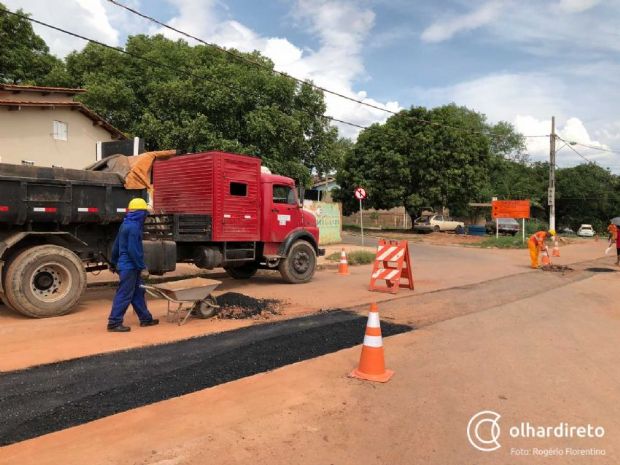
(223, 185)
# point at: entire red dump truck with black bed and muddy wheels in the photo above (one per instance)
(212, 209)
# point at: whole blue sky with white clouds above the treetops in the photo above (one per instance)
(515, 60)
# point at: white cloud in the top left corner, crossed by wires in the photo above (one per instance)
(88, 17)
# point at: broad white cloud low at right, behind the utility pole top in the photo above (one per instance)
(528, 100)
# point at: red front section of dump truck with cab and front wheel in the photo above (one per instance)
(218, 209)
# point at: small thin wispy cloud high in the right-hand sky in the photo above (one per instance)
(445, 29)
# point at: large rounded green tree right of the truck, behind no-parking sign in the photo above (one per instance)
(419, 158)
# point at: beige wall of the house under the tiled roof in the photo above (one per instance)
(27, 134)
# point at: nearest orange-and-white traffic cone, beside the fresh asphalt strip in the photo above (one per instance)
(372, 361)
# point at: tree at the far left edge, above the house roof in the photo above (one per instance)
(24, 56)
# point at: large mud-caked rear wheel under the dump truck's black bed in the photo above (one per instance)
(44, 281)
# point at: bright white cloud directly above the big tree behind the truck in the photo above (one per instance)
(341, 28)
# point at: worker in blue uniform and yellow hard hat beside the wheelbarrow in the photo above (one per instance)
(128, 261)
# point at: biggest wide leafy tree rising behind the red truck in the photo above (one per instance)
(204, 99)
